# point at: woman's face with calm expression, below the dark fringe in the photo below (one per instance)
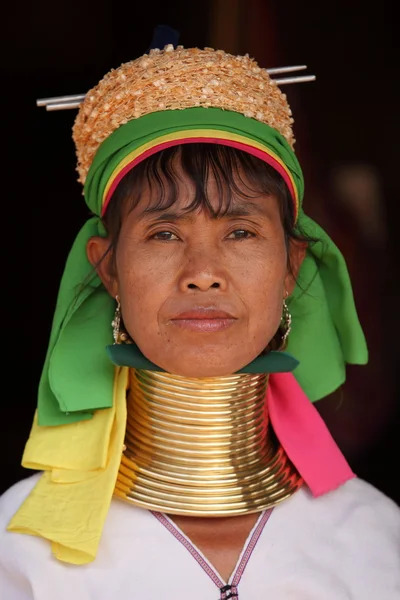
(200, 296)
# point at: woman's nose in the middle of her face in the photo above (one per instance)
(202, 273)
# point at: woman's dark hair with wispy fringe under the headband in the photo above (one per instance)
(236, 173)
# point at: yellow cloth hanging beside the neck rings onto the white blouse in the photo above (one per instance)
(69, 504)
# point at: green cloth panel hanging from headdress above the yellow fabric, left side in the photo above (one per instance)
(77, 376)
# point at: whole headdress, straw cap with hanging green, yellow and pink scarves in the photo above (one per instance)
(167, 98)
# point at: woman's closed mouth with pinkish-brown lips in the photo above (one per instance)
(204, 320)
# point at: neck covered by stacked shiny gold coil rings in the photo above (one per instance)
(202, 447)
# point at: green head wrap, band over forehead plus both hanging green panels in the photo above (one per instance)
(78, 376)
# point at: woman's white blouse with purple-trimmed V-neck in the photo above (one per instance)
(342, 546)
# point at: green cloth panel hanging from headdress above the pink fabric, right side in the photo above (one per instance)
(326, 332)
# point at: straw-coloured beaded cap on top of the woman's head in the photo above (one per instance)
(174, 80)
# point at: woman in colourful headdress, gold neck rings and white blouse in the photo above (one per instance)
(186, 459)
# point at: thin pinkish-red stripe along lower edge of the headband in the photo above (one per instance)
(264, 156)
